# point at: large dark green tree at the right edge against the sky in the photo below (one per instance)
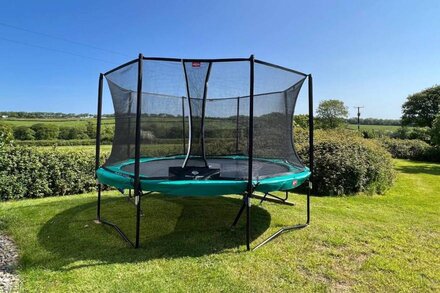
(421, 108)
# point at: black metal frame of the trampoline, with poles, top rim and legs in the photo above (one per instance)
(250, 191)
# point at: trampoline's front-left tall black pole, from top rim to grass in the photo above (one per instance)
(137, 152)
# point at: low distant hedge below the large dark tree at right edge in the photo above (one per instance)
(411, 149)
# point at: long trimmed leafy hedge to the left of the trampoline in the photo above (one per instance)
(31, 172)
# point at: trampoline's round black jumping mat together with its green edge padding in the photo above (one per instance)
(225, 175)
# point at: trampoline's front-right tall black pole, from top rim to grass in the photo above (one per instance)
(250, 153)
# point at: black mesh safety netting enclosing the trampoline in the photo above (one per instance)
(200, 110)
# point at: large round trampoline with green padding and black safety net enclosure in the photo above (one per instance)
(204, 127)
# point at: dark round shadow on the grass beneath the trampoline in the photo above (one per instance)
(170, 228)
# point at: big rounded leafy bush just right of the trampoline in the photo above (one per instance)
(345, 163)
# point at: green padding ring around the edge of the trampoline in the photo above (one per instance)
(115, 176)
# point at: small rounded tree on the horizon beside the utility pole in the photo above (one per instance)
(332, 113)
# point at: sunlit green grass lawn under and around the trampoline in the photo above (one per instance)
(386, 243)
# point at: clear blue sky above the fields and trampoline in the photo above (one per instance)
(365, 53)
